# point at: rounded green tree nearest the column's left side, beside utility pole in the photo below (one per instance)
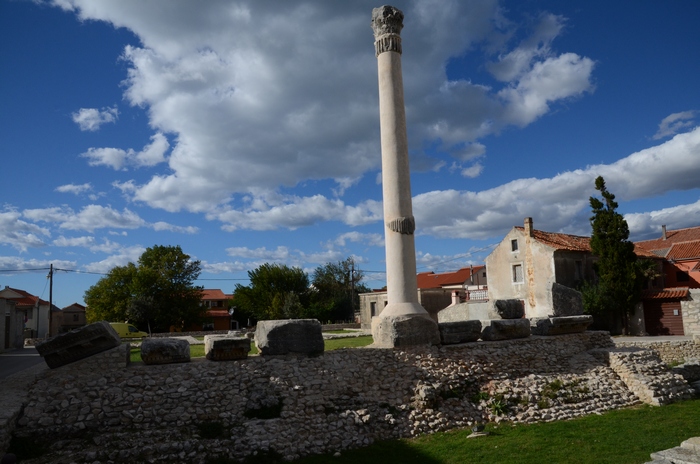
(335, 290)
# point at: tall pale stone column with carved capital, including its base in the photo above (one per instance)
(403, 321)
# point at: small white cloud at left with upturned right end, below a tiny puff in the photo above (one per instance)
(118, 159)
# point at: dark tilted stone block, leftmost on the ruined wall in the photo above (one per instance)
(78, 344)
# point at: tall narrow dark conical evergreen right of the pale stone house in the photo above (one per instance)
(618, 287)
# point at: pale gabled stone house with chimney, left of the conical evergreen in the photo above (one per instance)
(527, 262)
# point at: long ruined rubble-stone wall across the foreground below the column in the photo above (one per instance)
(295, 406)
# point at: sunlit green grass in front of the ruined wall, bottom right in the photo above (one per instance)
(625, 436)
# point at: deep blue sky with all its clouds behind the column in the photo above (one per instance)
(247, 131)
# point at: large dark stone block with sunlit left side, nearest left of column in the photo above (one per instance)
(301, 336)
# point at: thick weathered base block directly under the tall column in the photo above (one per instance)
(402, 331)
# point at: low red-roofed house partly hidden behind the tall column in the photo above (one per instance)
(436, 291)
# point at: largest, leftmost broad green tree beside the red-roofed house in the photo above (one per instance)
(158, 292)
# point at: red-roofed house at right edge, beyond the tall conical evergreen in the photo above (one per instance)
(675, 308)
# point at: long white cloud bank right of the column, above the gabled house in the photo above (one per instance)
(560, 203)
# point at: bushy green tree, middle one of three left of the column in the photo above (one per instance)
(276, 291)
